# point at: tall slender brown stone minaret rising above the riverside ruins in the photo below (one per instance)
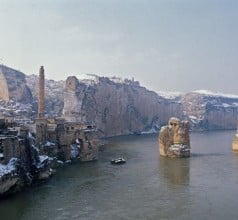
(41, 94)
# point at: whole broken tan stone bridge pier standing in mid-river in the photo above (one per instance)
(174, 139)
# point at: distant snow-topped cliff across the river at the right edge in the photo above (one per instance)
(211, 111)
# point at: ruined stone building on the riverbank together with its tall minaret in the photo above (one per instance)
(63, 139)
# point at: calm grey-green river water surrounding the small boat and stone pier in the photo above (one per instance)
(204, 186)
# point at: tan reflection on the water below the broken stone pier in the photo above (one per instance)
(175, 170)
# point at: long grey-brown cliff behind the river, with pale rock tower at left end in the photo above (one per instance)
(116, 107)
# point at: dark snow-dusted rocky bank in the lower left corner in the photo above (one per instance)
(21, 163)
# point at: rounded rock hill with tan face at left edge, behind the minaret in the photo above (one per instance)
(13, 86)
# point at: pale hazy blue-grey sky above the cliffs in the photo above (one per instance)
(171, 45)
